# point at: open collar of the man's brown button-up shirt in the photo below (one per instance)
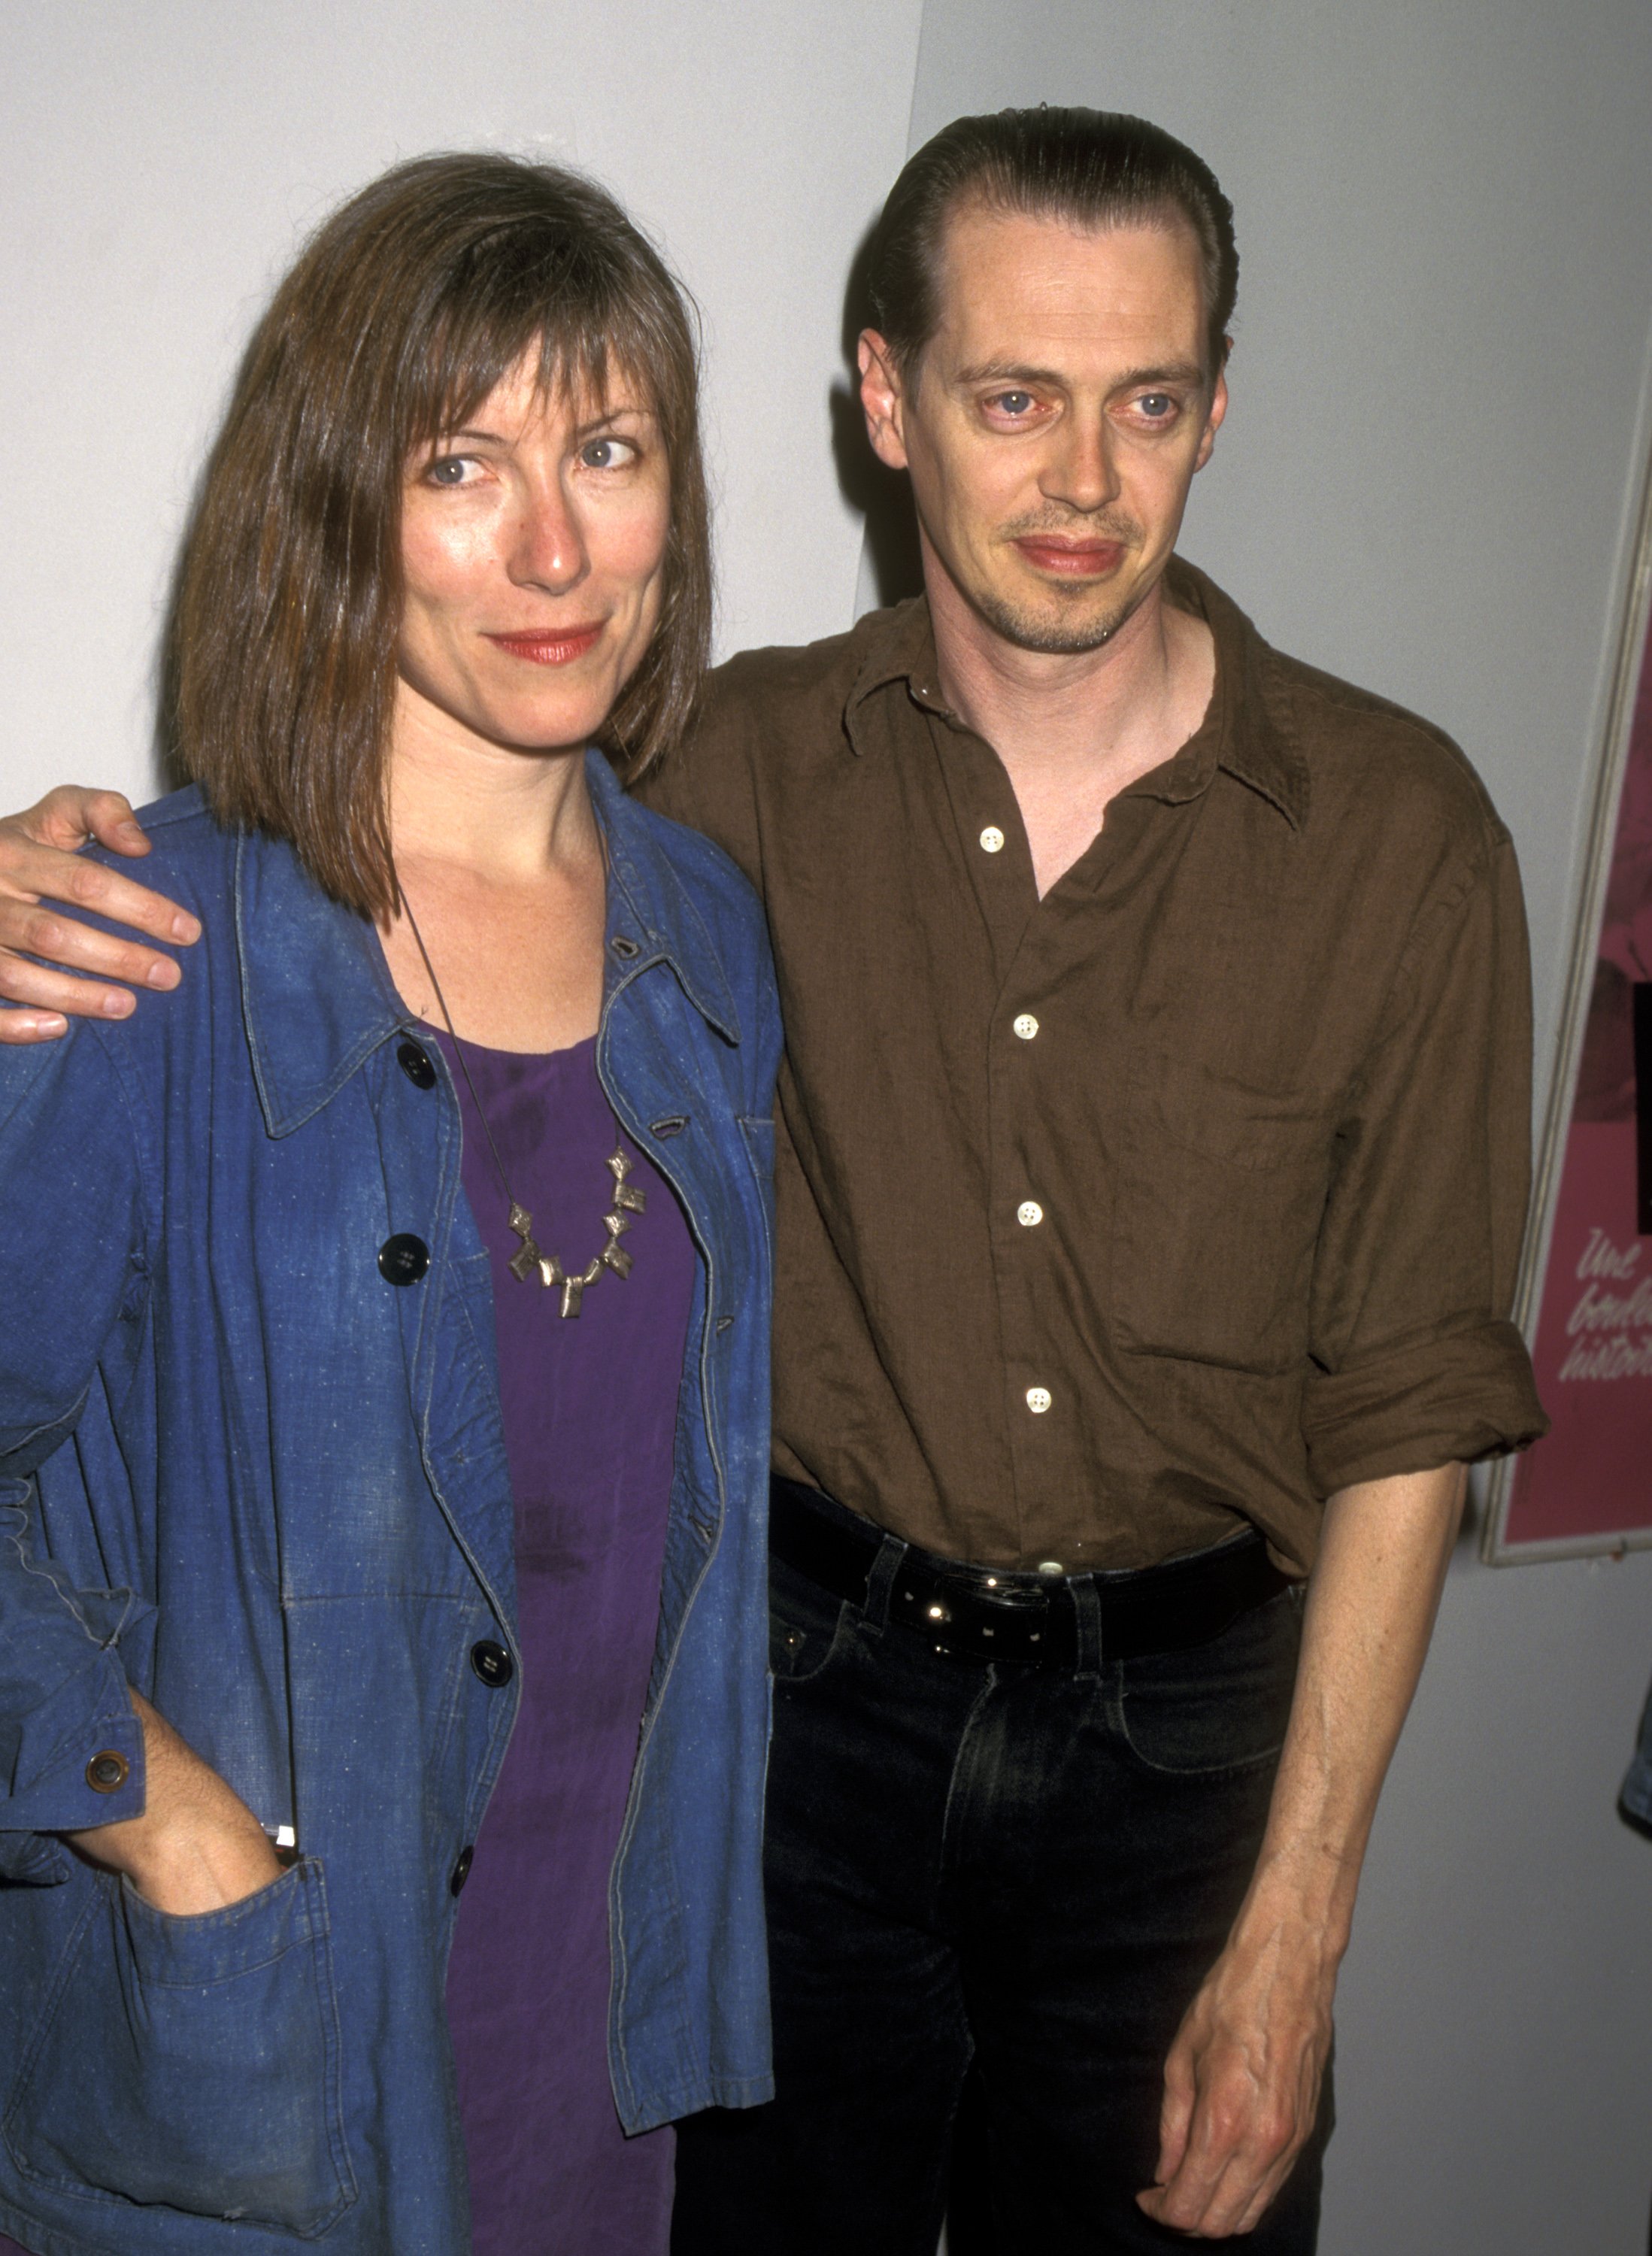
(1249, 728)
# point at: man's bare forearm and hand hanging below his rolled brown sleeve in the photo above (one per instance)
(1245, 2077)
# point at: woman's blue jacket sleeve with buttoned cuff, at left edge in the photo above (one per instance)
(71, 1224)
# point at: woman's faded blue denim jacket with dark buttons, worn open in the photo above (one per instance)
(263, 1481)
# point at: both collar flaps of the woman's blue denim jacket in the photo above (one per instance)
(317, 994)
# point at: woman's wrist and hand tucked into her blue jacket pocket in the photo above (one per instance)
(197, 1847)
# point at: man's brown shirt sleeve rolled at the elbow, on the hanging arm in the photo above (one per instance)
(1416, 1361)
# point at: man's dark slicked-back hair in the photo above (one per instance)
(1084, 168)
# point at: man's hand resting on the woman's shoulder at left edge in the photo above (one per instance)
(39, 865)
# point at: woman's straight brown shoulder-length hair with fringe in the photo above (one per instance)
(401, 317)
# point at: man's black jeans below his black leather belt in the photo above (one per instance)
(1028, 1871)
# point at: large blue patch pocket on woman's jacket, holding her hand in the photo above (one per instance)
(193, 2063)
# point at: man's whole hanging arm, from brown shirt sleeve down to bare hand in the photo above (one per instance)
(1412, 1361)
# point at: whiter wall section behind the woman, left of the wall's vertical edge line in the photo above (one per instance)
(159, 166)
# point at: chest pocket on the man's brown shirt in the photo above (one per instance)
(1218, 1208)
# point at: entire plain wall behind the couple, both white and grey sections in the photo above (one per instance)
(1443, 342)
